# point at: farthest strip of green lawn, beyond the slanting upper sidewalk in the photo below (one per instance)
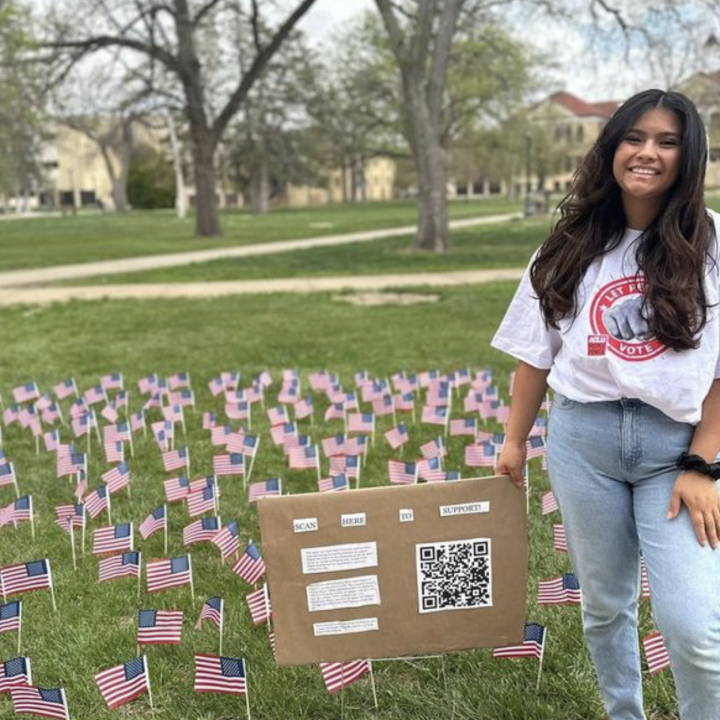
(43, 242)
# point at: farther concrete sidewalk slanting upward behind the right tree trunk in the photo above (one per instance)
(57, 273)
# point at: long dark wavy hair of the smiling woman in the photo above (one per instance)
(672, 251)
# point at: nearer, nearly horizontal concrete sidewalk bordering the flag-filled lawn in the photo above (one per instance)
(42, 295)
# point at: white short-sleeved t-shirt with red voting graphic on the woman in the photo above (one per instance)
(606, 352)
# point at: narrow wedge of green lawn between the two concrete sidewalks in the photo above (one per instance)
(501, 245)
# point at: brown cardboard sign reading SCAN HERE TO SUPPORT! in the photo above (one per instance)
(393, 571)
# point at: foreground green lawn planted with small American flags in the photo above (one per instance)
(95, 625)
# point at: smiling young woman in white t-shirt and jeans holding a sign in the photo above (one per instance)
(618, 314)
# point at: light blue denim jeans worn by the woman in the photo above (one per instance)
(612, 470)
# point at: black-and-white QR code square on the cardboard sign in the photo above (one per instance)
(454, 575)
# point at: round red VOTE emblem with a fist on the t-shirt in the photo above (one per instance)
(616, 312)
